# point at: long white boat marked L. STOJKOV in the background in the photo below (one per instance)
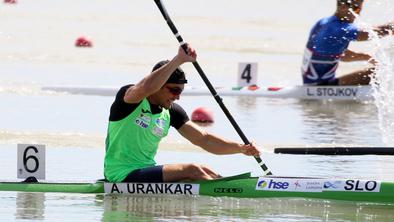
(357, 93)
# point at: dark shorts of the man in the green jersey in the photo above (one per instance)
(146, 175)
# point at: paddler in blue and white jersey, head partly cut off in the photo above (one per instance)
(328, 46)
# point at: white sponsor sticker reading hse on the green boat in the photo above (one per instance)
(289, 184)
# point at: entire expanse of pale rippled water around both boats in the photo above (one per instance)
(37, 49)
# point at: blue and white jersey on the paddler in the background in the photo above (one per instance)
(328, 40)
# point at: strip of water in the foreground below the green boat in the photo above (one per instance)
(39, 206)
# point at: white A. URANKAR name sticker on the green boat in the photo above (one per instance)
(152, 188)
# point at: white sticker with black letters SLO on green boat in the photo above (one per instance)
(352, 185)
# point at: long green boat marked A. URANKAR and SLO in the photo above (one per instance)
(239, 186)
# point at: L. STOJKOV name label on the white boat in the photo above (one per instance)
(332, 91)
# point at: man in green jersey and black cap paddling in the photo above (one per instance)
(141, 116)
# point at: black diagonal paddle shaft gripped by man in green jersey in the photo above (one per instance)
(208, 83)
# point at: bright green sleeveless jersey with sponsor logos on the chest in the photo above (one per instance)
(132, 142)
